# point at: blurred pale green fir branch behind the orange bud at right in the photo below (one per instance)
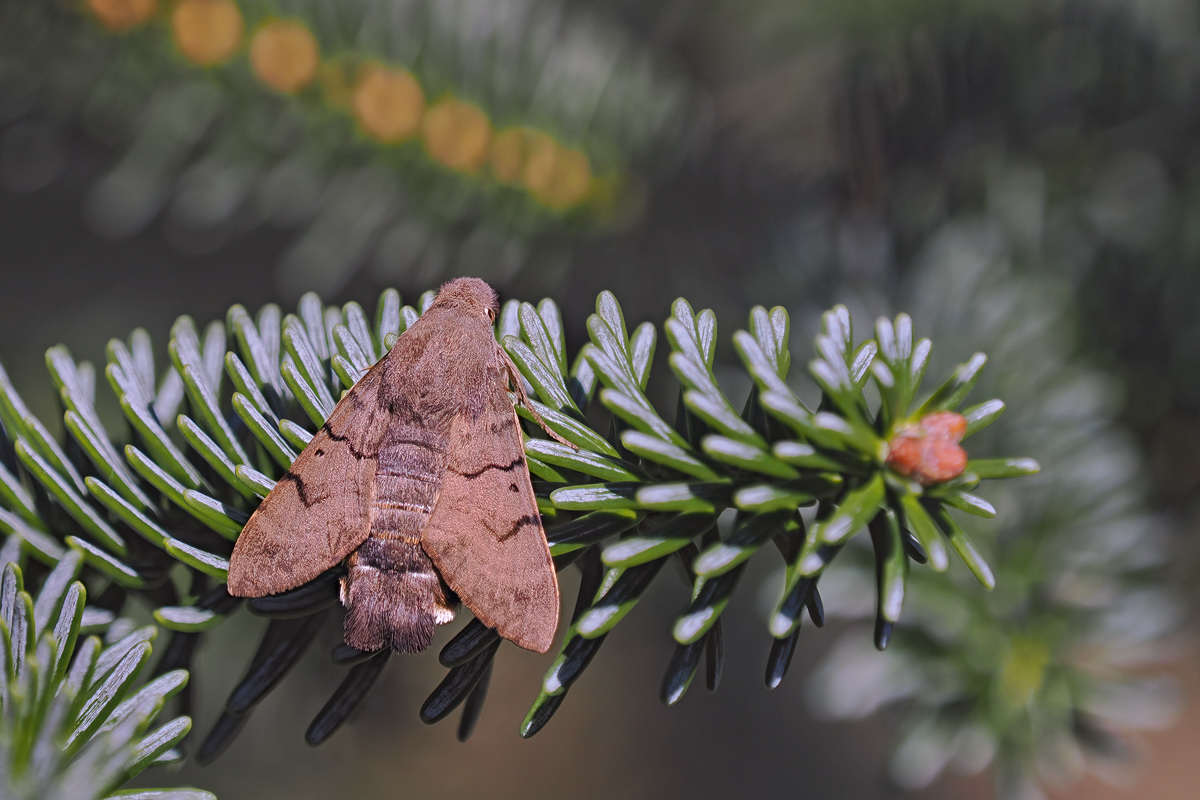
(1046, 678)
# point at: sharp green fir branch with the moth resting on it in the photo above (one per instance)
(190, 480)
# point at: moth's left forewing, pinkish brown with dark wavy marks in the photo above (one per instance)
(320, 510)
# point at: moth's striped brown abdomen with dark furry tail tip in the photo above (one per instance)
(392, 591)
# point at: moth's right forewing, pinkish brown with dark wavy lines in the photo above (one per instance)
(485, 534)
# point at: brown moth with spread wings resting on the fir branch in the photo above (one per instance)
(418, 482)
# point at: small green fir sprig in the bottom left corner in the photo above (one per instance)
(74, 724)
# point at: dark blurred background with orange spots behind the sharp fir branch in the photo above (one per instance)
(1023, 178)
